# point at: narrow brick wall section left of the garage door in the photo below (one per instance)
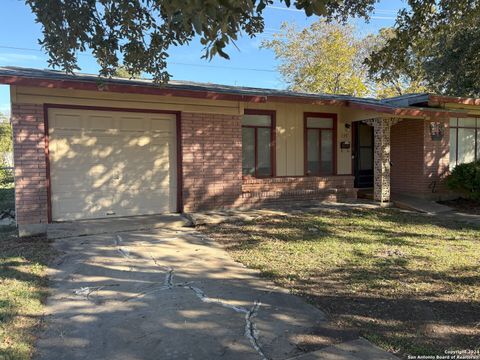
(30, 164)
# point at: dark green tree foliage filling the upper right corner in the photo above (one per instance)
(436, 41)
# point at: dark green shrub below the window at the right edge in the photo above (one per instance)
(465, 178)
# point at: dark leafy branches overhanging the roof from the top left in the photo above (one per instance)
(139, 33)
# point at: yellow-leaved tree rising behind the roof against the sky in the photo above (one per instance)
(323, 58)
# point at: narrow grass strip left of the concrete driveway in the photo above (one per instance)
(23, 289)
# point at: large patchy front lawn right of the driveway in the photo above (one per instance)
(407, 282)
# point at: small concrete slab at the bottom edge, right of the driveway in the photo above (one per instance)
(359, 349)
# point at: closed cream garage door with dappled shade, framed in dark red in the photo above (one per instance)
(109, 163)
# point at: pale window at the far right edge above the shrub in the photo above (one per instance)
(464, 140)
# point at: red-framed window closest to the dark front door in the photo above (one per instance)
(320, 137)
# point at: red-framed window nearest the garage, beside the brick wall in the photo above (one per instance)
(258, 138)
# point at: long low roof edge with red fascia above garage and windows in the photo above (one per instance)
(59, 79)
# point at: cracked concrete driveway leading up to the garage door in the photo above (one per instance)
(168, 293)
